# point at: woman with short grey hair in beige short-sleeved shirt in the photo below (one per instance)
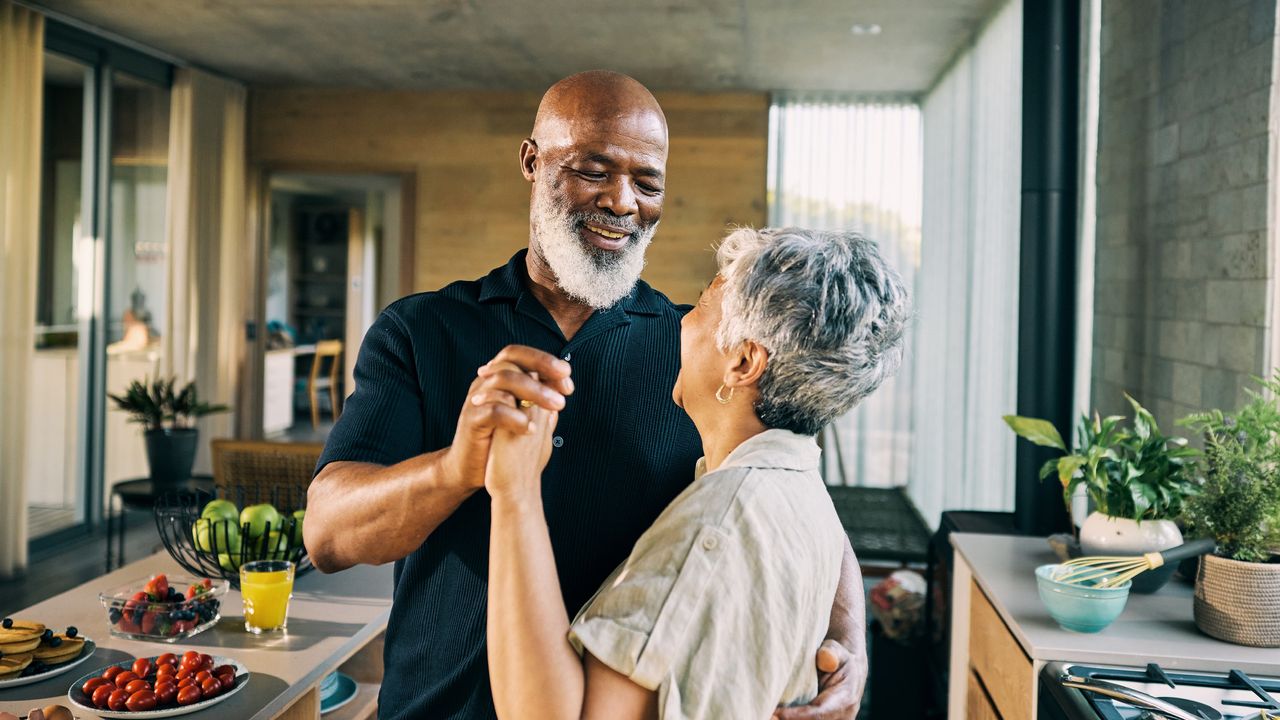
(725, 600)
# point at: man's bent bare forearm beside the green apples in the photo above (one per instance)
(363, 513)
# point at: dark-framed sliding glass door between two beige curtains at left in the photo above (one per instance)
(102, 288)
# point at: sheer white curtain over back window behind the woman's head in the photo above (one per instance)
(843, 163)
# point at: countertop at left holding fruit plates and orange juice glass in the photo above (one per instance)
(335, 621)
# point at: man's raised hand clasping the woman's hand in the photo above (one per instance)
(493, 403)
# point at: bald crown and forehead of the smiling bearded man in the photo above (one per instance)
(586, 107)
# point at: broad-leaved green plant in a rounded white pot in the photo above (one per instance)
(1137, 481)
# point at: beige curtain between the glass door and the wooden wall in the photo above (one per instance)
(208, 280)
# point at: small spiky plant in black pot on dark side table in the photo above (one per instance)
(168, 418)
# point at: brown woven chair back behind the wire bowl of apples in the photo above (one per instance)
(258, 466)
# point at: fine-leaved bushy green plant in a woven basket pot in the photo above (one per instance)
(1238, 587)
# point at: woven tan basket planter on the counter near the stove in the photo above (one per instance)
(1238, 603)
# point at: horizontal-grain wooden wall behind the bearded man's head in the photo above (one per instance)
(473, 204)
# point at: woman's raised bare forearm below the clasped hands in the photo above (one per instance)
(533, 669)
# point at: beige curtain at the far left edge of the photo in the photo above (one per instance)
(22, 84)
